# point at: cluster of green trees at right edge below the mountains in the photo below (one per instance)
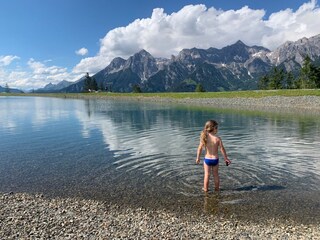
(307, 78)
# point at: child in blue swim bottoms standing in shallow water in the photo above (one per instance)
(211, 143)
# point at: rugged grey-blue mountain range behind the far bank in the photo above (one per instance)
(234, 67)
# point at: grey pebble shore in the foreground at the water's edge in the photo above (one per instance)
(24, 216)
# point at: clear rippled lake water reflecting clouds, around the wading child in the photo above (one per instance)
(143, 154)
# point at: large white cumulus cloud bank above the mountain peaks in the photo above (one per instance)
(198, 26)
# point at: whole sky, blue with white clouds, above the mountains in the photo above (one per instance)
(44, 41)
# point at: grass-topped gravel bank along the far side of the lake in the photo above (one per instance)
(303, 101)
